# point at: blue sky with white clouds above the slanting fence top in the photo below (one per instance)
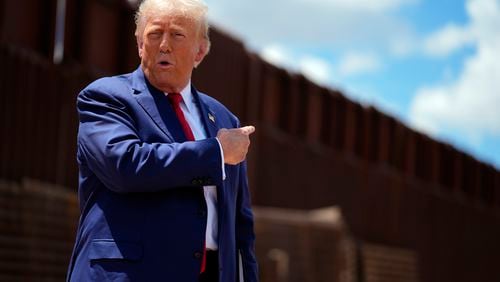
(433, 64)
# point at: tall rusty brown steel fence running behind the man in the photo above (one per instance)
(313, 147)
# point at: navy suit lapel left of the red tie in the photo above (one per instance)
(157, 107)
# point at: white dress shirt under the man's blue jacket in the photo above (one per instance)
(193, 118)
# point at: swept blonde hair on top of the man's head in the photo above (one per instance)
(193, 9)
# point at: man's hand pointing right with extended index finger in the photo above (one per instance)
(235, 143)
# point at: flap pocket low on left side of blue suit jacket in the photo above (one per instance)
(109, 249)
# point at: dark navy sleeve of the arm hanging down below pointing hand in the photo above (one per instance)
(245, 236)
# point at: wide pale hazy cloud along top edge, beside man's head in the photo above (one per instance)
(331, 23)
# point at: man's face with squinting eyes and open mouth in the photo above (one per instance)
(170, 47)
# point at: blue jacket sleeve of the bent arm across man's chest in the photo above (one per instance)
(109, 145)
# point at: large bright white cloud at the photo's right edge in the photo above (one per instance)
(470, 104)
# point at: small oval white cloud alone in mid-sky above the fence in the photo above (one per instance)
(358, 63)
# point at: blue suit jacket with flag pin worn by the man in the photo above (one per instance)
(143, 215)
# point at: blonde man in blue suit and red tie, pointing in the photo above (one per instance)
(163, 187)
